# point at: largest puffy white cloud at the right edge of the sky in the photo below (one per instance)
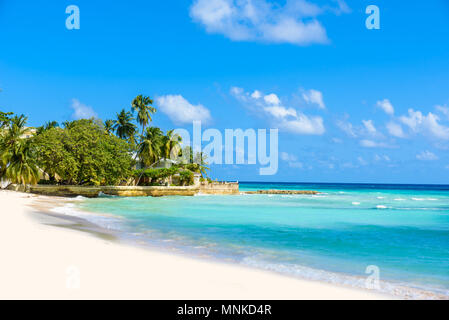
(429, 124)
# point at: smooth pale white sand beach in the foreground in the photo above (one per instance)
(41, 261)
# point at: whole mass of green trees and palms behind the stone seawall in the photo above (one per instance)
(92, 152)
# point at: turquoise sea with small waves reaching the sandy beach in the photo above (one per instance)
(339, 236)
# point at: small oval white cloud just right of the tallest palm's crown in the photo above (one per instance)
(179, 110)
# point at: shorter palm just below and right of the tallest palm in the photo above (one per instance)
(149, 149)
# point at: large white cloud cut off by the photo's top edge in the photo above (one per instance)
(265, 21)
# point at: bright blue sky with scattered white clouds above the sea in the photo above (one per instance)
(351, 104)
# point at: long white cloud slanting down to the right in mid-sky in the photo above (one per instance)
(285, 118)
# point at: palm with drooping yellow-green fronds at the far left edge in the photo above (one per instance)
(17, 162)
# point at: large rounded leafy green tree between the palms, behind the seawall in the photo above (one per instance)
(82, 154)
